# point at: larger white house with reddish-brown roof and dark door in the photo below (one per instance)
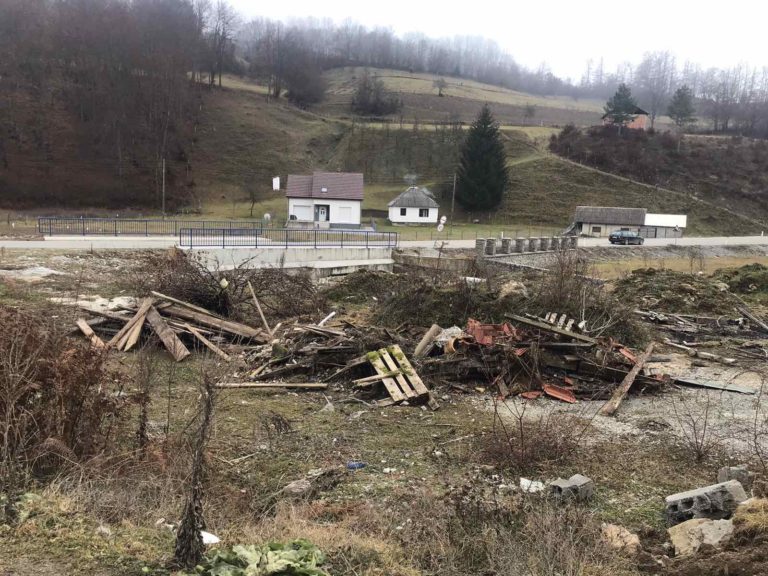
(325, 199)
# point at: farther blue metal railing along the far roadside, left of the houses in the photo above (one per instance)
(58, 226)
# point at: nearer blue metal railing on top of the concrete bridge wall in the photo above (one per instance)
(284, 238)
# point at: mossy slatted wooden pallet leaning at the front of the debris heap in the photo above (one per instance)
(399, 377)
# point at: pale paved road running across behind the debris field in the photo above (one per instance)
(134, 243)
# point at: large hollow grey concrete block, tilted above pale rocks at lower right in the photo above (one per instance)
(715, 502)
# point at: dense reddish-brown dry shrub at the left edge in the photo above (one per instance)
(54, 401)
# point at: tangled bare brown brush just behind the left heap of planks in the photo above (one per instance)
(187, 276)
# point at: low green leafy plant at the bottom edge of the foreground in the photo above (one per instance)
(297, 558)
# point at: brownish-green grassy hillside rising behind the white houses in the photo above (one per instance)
(240, 139)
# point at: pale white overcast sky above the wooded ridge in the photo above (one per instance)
(563, 33)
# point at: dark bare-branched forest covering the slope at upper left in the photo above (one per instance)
(115, 75)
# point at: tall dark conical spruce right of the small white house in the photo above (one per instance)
(482, 174)
